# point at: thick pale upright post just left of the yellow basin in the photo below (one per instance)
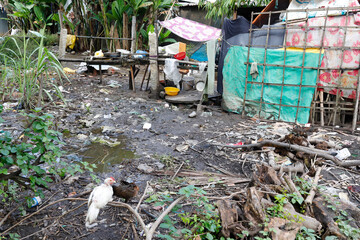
(154, 67)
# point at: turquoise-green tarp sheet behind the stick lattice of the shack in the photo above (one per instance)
(234, 72)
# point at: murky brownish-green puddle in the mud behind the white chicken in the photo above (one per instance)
(104, 156)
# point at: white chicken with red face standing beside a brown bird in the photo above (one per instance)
(98, 199)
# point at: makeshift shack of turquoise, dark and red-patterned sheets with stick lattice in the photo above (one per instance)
(302, 68)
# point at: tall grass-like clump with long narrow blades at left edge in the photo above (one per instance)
(27, 69)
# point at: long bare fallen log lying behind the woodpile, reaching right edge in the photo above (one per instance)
(308, 150)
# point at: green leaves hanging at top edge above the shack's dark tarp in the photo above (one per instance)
(226, 8)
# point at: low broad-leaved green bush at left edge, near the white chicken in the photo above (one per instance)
(32, 157)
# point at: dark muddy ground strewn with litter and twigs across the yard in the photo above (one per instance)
(117, 114)
